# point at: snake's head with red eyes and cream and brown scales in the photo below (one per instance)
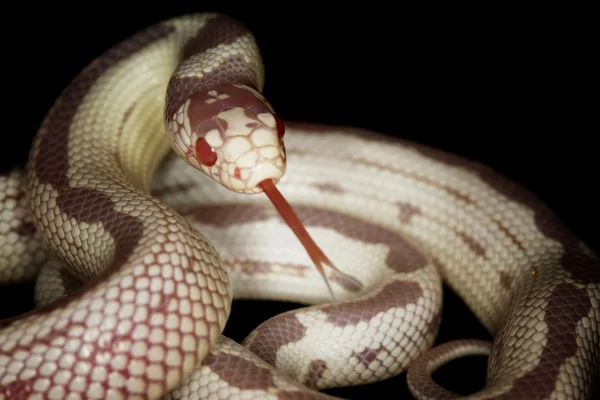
(230, 133)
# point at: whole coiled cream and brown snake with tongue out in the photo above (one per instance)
(141, 215)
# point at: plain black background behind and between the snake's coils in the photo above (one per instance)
(508, 87)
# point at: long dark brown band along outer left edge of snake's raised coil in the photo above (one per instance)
(51, 163)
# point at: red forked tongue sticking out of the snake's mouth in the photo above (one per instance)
(287, 213)
